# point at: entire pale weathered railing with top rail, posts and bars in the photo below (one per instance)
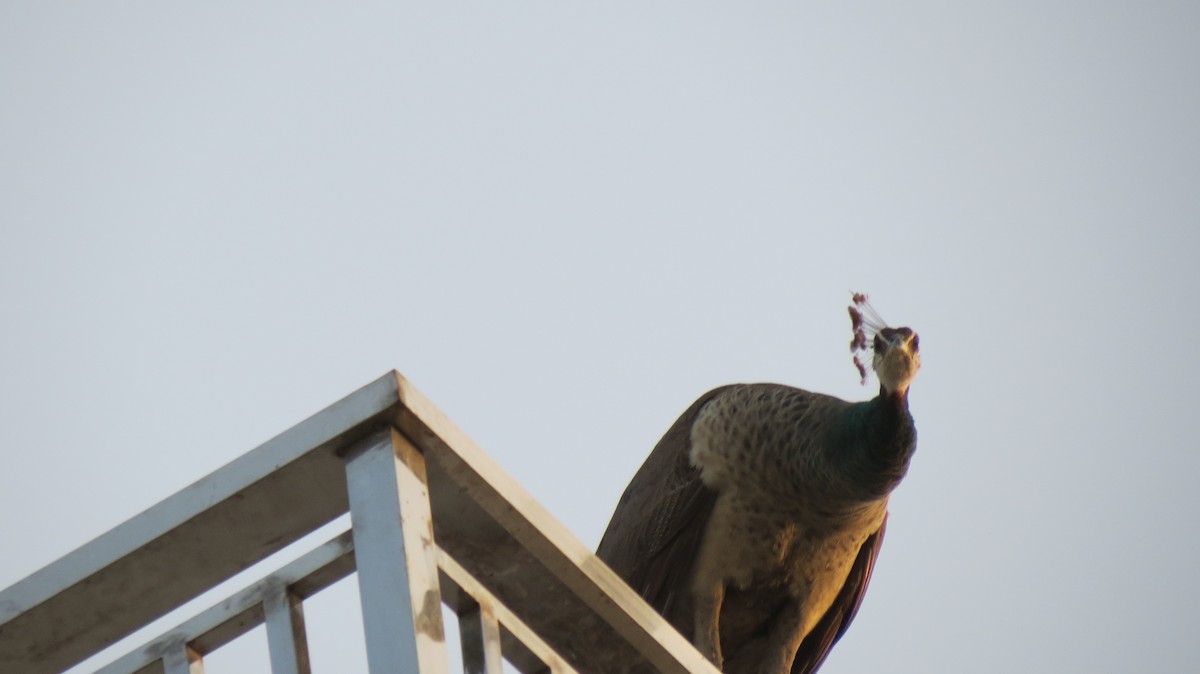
(433, 522)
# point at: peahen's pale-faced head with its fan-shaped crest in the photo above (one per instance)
(896, 358)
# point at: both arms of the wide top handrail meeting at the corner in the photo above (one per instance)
(297, 483)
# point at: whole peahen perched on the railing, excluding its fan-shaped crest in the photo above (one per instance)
(755, 523)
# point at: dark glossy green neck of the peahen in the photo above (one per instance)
(877, 444)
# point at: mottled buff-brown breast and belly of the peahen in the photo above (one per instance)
(779, 519)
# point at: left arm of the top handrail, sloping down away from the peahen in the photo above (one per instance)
(188, 544)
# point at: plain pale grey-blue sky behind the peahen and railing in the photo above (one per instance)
(563, 224)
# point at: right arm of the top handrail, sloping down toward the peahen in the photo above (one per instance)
(532, 563)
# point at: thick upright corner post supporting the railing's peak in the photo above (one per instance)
(397, 558)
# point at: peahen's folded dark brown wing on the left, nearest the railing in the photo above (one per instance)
(655, 534)
